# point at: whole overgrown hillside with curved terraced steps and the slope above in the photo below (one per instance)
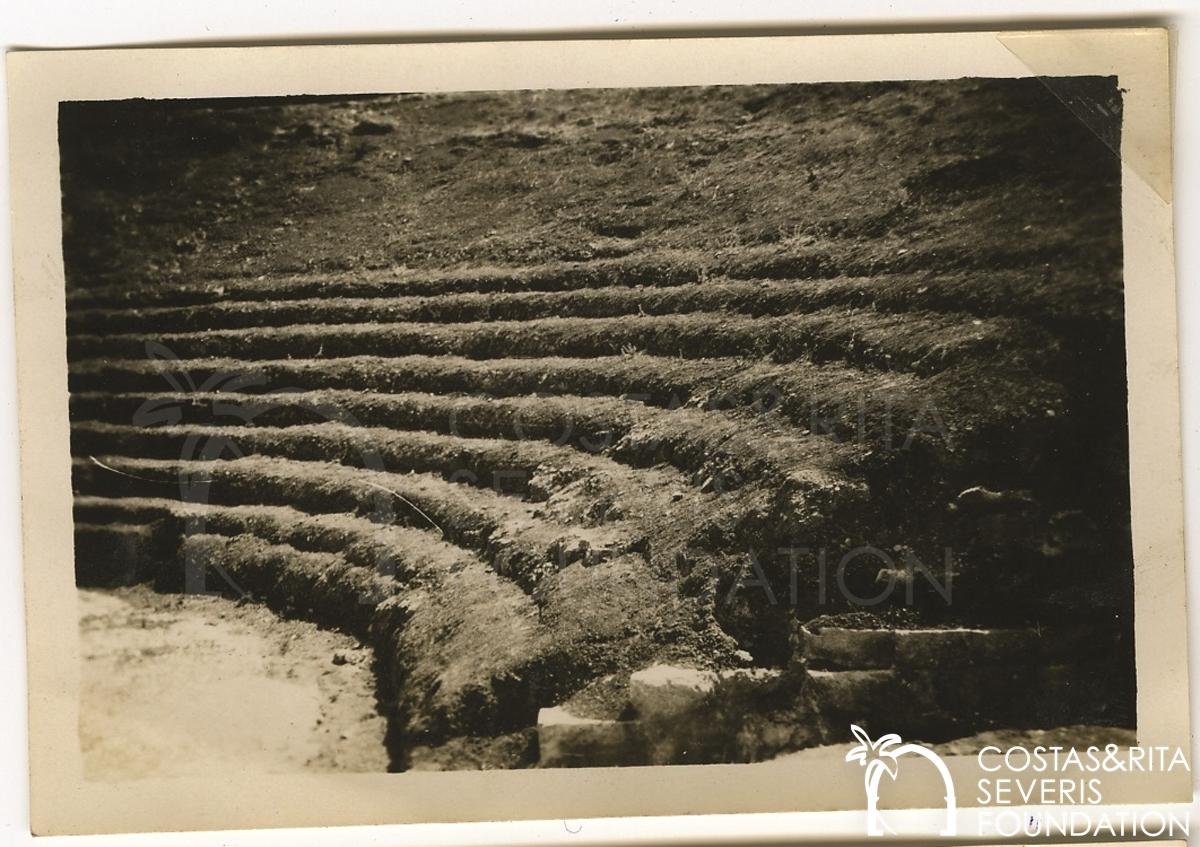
(513, 387)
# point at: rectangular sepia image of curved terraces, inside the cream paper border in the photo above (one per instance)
(560, 428)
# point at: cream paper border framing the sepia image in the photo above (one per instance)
(64, 803)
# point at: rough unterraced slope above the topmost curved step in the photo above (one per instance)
(165, 193)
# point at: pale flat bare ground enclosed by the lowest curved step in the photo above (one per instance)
(183, 686)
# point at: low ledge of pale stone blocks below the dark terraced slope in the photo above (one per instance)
(929, 684)
